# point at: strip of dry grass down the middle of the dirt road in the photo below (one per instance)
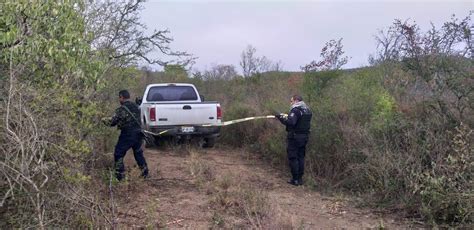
(236, 204)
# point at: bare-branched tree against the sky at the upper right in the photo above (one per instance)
(440, 59)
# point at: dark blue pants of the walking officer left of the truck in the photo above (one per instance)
(127, 140)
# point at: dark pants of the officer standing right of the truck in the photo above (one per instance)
(296, 152)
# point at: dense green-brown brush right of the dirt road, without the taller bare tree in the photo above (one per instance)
(367, 138)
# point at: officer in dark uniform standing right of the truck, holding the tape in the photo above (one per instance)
(298, 124)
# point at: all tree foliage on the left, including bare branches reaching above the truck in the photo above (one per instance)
(59, 63)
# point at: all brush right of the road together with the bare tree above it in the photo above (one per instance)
(399, 133)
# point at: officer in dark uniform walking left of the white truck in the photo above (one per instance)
(126, 118)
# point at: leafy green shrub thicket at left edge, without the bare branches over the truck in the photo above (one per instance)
(53, 75)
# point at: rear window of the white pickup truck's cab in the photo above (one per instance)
(171, 93)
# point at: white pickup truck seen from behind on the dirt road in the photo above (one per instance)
(179, 109)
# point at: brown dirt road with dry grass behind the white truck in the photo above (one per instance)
(193, 188)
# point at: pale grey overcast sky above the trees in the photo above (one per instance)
(290, 31)
